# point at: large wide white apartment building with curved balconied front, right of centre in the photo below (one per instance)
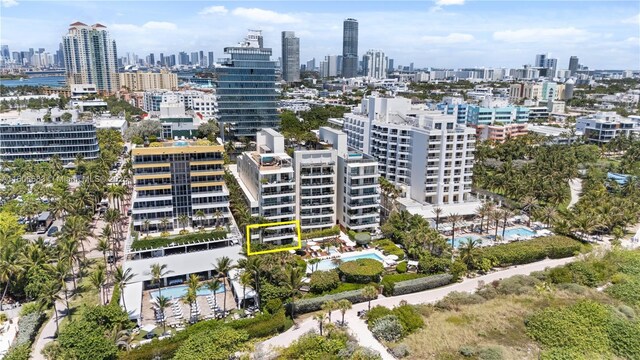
(427, 153)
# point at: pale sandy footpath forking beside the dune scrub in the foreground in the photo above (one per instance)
(358, 327)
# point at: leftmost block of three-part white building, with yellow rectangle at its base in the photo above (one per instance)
(267, 178)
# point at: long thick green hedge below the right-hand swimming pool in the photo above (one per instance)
(524, 252)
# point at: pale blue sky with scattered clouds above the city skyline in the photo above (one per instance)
(439, 33)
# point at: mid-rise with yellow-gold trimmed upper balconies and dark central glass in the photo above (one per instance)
(178, 180)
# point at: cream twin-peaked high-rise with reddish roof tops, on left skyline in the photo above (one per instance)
(90, 56)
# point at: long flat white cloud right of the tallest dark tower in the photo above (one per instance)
(542, 34)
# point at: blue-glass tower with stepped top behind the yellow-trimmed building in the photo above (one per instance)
(246, 88)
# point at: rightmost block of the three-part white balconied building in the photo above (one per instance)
(358, 190)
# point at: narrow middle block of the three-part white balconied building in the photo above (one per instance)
(315, 174)
